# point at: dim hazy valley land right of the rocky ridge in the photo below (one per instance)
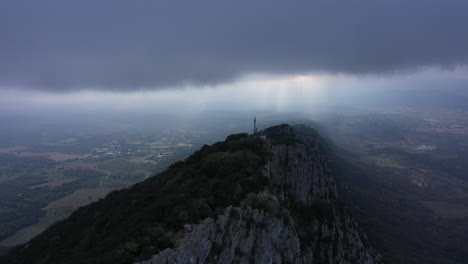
(407, 173)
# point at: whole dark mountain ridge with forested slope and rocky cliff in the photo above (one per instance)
(268, 198)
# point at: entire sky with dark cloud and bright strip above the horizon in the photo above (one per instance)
(198, 55)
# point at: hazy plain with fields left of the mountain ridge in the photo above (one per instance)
(47, 171)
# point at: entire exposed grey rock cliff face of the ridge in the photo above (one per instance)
(279, 232)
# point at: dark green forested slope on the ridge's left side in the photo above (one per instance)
(135, 223)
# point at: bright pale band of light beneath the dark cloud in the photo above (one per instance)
(295, 93)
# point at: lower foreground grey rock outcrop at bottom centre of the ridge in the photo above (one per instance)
(237, 236)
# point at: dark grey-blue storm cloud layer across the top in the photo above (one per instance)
(112, 44)
